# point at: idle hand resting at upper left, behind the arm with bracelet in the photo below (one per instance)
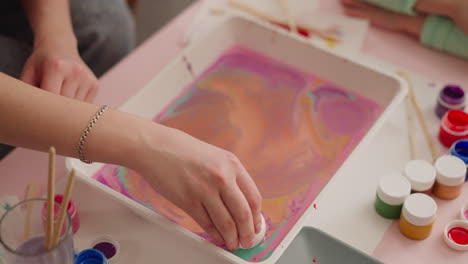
(57, 67)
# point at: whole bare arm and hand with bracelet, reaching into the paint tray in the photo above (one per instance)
(207, 182)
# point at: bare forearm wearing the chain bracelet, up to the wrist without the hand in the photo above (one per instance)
(35, 119)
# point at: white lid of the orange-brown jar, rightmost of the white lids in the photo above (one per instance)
(450, 170)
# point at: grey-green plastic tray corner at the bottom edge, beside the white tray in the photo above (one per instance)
(314, 246)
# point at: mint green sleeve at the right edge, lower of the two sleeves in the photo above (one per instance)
(442, 34)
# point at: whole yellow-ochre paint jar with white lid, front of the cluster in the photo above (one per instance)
(418, 216)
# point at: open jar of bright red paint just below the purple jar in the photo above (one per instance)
(453, 127)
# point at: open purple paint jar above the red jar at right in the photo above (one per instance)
(450, 97)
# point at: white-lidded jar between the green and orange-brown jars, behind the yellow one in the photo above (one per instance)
(421, 175)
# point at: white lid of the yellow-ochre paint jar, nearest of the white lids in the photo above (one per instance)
(419, 209)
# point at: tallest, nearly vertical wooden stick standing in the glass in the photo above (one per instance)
(50, 199)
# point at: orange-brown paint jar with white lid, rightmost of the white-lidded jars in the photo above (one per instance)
(450, 177)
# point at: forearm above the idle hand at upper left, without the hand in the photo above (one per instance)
(50, 20)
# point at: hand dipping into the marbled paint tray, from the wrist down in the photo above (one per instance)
(207, 182)
